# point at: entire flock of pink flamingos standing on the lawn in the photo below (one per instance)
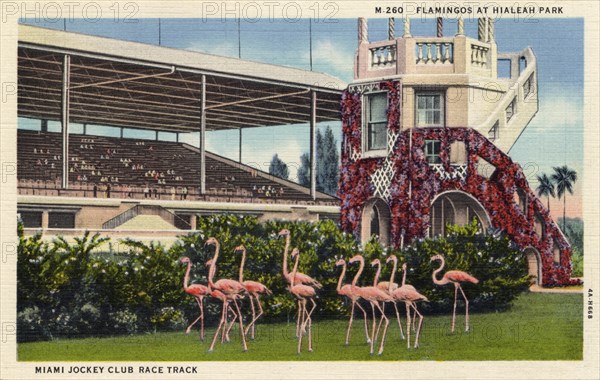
(304, 289)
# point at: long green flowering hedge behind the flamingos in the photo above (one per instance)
(73, 290)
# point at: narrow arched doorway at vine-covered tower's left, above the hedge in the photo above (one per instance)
(376, 221)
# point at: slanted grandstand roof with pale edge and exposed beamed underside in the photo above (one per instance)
(130, 84)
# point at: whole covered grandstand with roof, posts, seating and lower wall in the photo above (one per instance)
(70, 180)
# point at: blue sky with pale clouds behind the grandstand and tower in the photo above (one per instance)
(554, 137)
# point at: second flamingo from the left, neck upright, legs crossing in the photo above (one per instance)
(231, 289)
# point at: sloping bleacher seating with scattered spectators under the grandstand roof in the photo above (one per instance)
(140, 168)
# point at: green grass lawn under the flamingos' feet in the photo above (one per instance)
(538, 327)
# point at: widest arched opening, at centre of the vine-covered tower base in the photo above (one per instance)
(456, 207)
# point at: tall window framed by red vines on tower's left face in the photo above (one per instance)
(376, 121)
